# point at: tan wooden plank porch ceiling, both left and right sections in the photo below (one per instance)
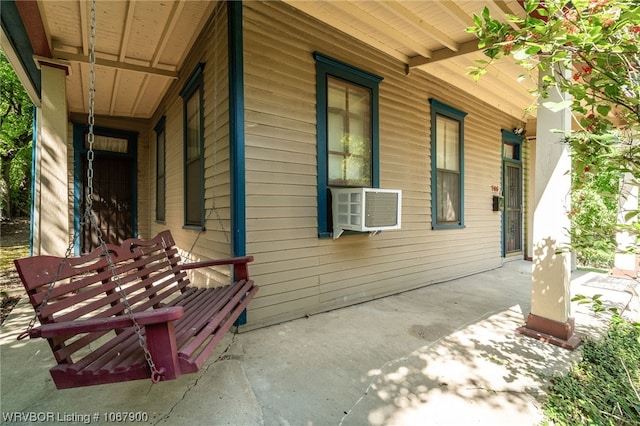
(141, 45)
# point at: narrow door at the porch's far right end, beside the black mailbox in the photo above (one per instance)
(512, 207)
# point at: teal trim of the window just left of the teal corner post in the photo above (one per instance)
(194, 86)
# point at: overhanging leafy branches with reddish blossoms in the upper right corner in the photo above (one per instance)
(598, 39)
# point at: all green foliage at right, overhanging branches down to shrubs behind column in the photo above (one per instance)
(590, 50)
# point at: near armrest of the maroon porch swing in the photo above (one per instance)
(70, 328)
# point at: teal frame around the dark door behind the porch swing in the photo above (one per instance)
(80, 152)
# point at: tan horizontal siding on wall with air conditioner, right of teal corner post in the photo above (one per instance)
(298, 273)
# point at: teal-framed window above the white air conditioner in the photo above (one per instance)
(347, 102)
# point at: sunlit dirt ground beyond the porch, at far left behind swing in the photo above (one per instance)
(14, 242)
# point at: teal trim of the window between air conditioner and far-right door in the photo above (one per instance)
(440, 109)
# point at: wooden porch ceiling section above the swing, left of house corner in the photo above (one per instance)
(140, 47)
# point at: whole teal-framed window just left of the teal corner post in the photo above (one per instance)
(192, 94)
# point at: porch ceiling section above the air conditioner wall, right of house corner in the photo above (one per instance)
(430, 35)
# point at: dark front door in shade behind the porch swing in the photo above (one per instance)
(114, 188)
